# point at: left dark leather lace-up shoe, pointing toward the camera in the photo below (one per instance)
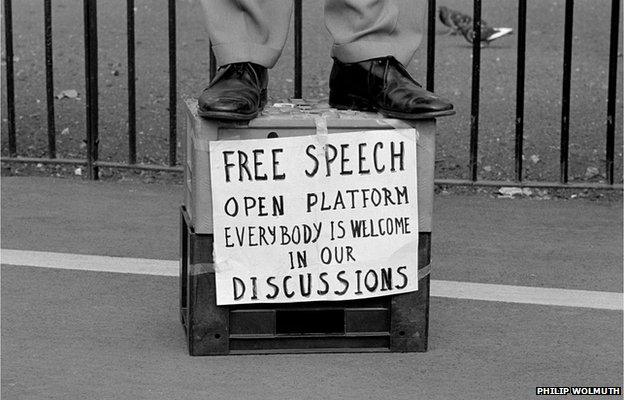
(238, 92)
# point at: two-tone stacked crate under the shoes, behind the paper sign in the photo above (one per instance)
(390, 323)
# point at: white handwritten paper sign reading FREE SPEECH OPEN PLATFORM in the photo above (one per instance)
(311, 218)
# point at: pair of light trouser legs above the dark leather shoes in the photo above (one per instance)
(256, 30)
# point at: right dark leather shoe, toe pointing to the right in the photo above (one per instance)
(385, 86)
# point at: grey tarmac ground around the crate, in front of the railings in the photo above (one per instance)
(81, 335)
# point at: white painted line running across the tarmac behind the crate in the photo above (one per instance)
(449, 289)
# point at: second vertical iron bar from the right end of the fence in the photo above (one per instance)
(565, 98)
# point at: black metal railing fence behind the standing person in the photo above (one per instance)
(91, 81)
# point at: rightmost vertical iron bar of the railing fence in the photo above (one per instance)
(611, 91)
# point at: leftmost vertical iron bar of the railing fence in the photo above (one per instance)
(8, 43)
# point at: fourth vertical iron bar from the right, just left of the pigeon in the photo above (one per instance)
(476, 70)
